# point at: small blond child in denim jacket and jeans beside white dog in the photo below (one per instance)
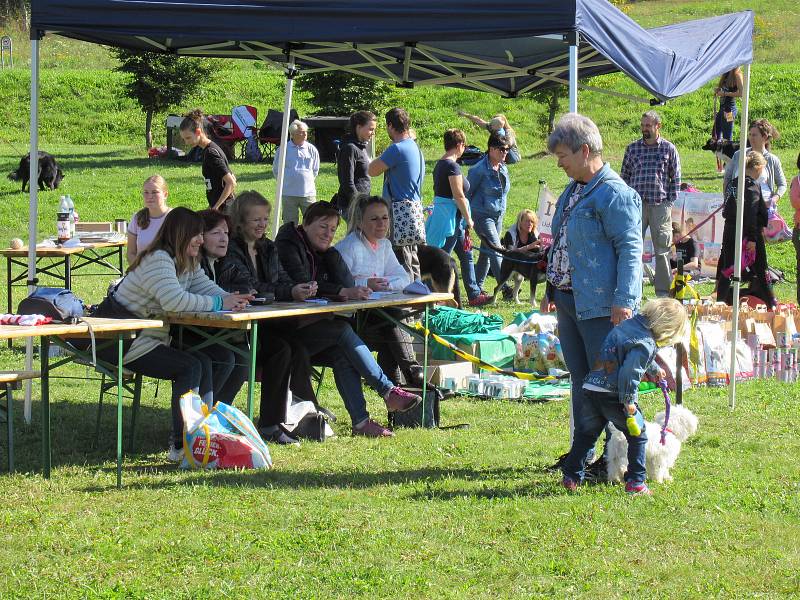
(611, 388)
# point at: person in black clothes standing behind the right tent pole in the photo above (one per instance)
(754, 219)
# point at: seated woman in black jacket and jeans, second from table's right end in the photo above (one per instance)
(307, 255)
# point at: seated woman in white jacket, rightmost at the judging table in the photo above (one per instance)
(369, 256)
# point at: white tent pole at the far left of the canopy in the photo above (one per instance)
(33, 206)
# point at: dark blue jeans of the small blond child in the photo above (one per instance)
(600, 408)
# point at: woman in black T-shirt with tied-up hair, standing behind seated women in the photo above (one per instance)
(219, 180)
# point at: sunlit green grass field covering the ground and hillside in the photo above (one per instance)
(429, 514)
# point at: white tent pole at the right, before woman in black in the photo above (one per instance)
(737, 262)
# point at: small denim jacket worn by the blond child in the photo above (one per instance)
(626, 354)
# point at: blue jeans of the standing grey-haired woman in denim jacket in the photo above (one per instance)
(580, 344)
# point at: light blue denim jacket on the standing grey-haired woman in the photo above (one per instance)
(604, 243)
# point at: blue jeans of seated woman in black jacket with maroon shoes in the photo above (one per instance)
(351, 359)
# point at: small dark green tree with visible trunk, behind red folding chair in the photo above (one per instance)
(160, 81)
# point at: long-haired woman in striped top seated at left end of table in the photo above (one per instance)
(166, 277)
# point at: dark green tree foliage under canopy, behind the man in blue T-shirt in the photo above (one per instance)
(337, 93)
